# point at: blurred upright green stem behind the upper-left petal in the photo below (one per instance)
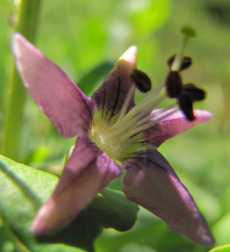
(26, 24)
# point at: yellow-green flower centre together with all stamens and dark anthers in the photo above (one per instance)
(125, 133)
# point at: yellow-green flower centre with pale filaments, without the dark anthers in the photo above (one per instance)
(122, 137)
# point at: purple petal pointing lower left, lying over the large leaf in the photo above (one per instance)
(86, 173)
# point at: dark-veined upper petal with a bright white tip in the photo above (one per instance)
(111, 95)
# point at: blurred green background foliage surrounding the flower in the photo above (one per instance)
(81, 35)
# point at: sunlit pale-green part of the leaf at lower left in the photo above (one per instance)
(23, 191)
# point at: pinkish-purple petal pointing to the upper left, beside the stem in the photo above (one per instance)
(53, 91)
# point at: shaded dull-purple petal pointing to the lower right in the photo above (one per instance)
(151, 182)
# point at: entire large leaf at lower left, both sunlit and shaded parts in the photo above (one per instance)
(25, 189)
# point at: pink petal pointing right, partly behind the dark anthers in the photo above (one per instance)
(174, 125)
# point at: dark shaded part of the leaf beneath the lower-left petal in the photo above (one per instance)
(110, 209)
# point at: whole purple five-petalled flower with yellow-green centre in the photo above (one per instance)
(114, 135)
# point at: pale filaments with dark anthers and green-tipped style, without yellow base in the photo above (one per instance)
(138, 118)
